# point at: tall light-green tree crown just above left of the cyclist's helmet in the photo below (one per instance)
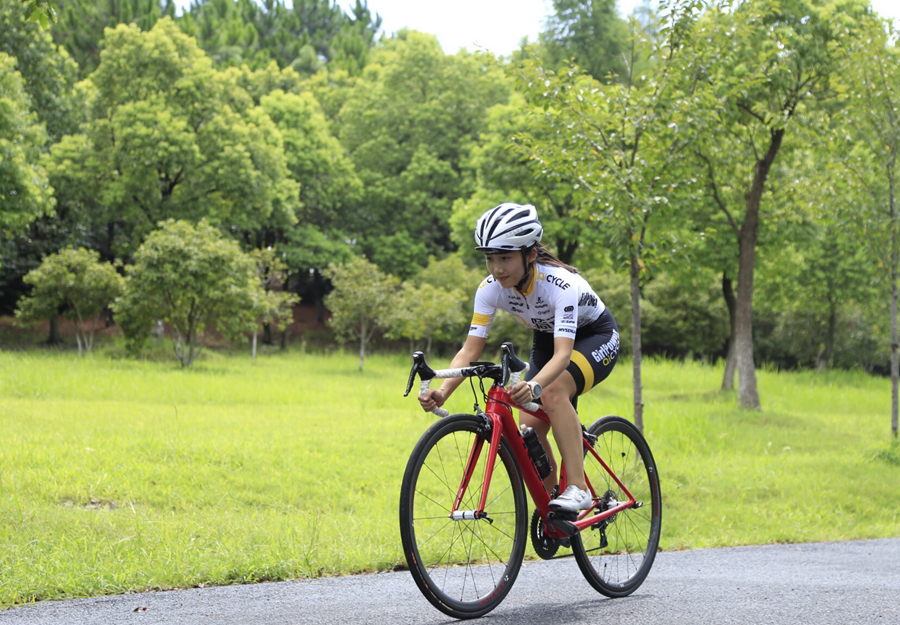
(406, 124)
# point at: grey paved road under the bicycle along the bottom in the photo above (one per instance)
(813, 584)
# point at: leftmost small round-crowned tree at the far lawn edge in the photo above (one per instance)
(76, 283)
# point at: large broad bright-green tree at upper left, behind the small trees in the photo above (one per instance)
(169, 137)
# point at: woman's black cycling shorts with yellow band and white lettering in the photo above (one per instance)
(594, 354)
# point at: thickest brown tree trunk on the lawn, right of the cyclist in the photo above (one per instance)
(748, 396)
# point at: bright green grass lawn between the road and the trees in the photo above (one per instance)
(120, 475)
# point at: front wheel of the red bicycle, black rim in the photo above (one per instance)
(463, 566)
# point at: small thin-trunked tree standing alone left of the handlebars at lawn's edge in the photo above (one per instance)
(360, 302)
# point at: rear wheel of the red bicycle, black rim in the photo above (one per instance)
(616, 554)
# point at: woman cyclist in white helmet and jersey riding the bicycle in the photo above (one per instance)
(576, 339)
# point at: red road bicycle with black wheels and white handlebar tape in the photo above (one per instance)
(463, 514)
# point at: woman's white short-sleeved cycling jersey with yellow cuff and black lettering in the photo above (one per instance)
(555, 300)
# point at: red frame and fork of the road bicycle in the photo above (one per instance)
(503, 425)
